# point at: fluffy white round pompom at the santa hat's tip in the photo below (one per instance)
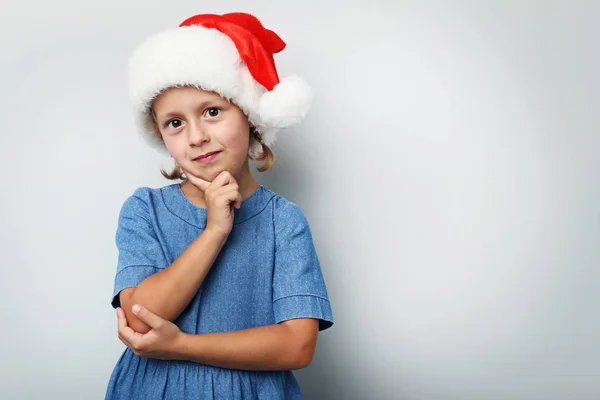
(287, 104)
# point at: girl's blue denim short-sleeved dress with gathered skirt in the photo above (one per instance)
(266, 273)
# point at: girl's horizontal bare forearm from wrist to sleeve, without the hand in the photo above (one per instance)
(286, 346)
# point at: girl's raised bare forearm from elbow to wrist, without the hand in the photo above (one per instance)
(169, 291)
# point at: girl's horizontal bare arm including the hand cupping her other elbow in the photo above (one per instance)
(285, 346)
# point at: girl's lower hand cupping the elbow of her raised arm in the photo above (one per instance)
(160, 342)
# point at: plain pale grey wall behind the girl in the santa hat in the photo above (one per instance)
(449, 170)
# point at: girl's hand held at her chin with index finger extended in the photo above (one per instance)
(221, 196)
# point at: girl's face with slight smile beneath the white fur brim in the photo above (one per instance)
(203, 132)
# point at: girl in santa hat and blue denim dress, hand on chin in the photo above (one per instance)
(219, 292)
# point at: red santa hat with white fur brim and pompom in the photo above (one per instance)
(230, 54)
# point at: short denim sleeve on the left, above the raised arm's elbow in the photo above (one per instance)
(139, 252)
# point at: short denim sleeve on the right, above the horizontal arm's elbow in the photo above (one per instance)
(299, 289)
